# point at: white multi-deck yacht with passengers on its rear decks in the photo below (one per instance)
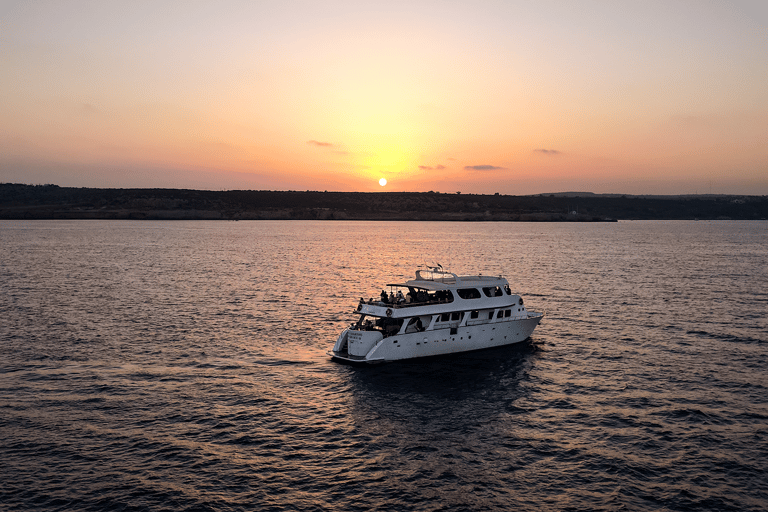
(437, 313)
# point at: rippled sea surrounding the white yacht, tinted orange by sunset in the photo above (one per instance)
(182, 366)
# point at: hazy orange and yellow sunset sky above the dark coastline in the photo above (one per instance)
(641, 97)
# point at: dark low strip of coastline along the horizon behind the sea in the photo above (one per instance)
(19, 201)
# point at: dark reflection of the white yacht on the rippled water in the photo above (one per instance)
(448, 396)
